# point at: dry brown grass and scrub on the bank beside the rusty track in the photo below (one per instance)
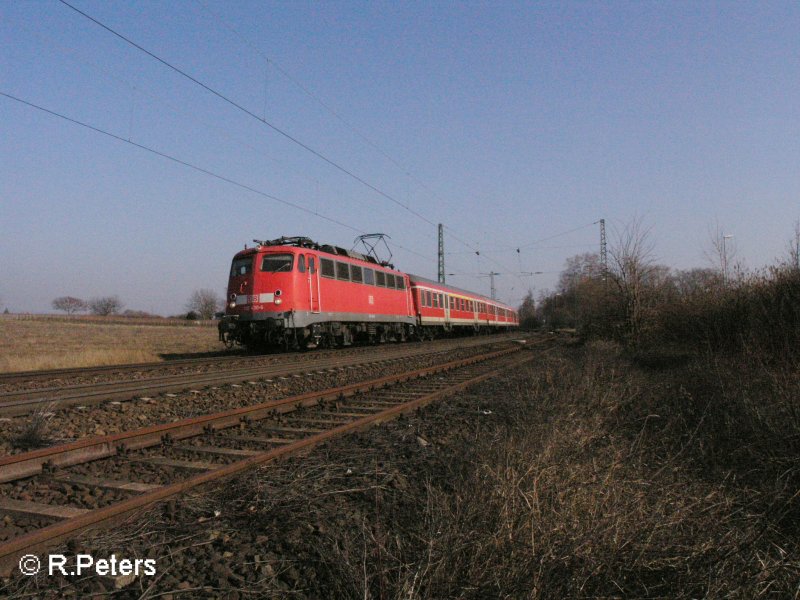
(581, 476)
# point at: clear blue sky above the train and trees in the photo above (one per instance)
(511, 123)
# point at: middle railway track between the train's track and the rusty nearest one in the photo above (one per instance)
(18, 402)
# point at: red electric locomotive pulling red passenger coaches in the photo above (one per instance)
(292, 293)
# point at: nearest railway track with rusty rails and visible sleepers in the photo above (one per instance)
(129, 471)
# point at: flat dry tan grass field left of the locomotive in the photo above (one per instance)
(37, 342)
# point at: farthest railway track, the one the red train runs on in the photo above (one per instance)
(27, 377)
